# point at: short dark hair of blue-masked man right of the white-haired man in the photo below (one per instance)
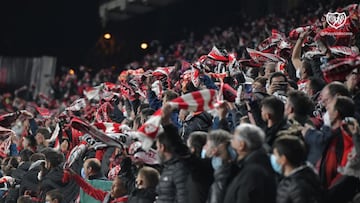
(293, 148)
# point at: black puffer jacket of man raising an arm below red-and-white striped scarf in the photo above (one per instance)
(172, 185)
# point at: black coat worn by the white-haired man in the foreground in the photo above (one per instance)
(254, 182)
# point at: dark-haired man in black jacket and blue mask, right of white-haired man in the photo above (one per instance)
(300, 183)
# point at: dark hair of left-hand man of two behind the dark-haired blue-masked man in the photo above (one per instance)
(275, 106)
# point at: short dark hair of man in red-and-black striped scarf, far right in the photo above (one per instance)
(345, 106)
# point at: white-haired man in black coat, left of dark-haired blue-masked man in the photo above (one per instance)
(255, 179)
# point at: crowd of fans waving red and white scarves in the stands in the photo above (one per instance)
(271, 116)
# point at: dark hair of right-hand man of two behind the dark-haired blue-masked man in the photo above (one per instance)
(301, 103)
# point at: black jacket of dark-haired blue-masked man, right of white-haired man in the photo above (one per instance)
(303, 186)
